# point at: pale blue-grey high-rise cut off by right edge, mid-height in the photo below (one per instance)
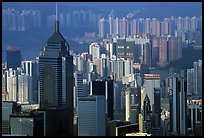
(198, 78)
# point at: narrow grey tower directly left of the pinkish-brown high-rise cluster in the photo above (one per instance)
(155, 51)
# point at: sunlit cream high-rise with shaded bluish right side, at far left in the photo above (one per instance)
(25, 89)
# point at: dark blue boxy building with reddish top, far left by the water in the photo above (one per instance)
(13, 57)
